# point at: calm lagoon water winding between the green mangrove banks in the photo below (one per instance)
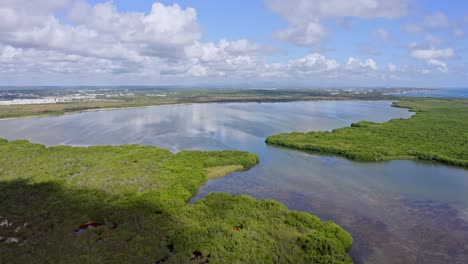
(397, 211)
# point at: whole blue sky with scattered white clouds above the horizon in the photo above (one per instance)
(243, 43)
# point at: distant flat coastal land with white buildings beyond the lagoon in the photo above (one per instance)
(73, 101)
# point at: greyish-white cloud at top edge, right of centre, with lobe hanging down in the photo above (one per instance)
(305, 16)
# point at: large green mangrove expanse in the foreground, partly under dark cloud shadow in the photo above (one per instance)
(136, 197)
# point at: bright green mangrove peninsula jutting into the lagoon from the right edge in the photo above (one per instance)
(438, 131)
